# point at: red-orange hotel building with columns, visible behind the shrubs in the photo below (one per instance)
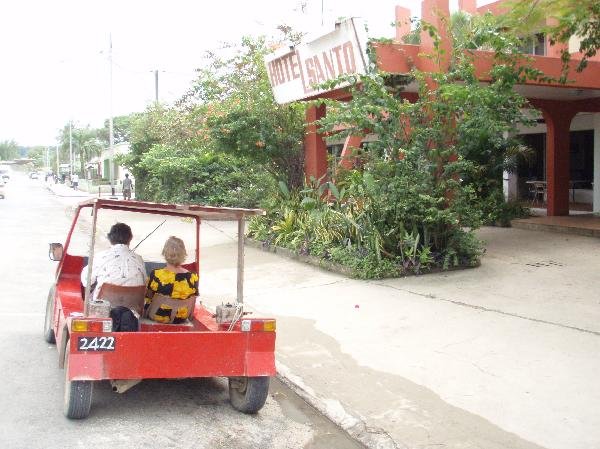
(567, 139)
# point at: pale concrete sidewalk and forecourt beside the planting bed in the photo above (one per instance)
(502, 356)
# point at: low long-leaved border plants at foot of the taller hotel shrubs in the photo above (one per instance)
(360, 228)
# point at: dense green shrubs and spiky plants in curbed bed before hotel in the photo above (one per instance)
(432, 175)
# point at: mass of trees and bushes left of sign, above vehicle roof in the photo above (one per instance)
(226, 142)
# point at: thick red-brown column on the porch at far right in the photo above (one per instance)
(558, 122)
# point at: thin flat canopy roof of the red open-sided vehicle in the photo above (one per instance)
(182, 210)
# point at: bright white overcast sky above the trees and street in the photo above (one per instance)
(54, 52)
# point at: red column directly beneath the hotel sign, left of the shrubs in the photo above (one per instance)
(315, 149)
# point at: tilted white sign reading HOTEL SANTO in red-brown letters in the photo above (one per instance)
(295, 73)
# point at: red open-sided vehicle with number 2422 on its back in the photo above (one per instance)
(225, 344)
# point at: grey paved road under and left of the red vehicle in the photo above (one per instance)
(154, 414)
